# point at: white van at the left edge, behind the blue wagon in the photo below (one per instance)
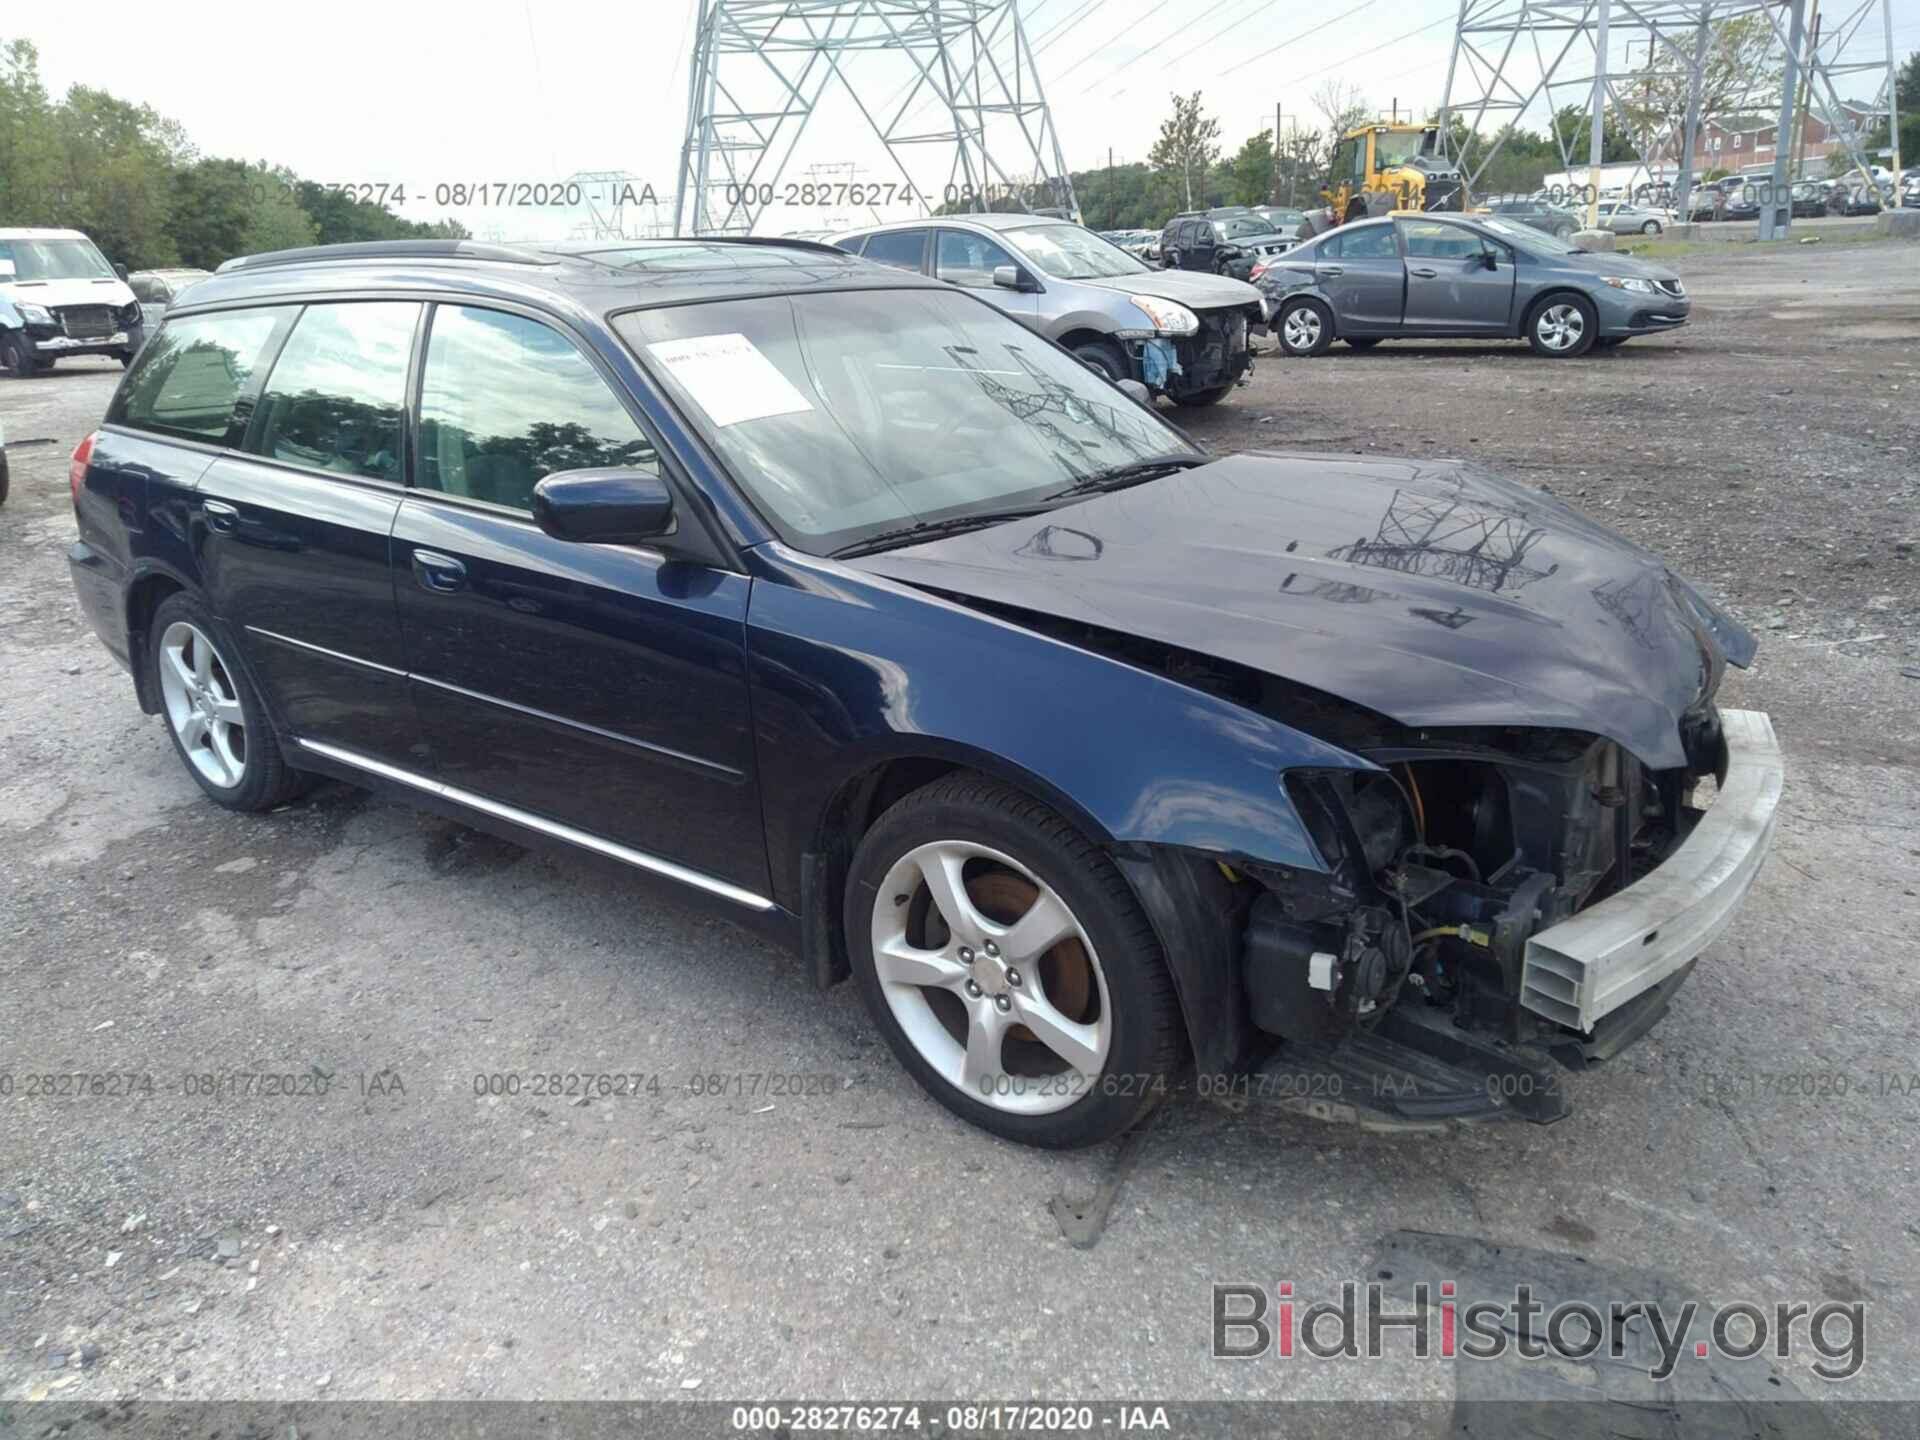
(59, 297)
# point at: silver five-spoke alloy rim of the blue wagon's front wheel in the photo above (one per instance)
(997, 972)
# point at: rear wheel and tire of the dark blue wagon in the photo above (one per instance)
(216, 719)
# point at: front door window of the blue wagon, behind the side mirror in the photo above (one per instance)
(508, 402)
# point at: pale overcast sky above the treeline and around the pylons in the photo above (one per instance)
(510, 91)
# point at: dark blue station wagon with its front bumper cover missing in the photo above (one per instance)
(838, 600)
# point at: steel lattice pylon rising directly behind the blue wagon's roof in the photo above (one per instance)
(763, 66)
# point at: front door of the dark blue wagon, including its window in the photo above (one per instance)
(596, 686)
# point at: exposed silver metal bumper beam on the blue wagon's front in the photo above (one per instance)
(1589, 967)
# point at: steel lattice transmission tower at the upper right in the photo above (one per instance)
(1514, 55)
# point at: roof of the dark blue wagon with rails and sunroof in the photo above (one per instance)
(590, 276)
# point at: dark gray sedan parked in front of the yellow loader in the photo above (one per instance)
(1428, 277)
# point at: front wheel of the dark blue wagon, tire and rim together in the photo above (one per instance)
(1009, 967)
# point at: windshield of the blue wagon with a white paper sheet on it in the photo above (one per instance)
(848, 414)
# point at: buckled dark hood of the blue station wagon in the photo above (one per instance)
(1426, 590)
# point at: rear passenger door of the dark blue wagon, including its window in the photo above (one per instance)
(295, 531)
